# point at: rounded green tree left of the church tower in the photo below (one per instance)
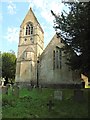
(8, 65)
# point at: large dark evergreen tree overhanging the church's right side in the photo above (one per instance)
(74, 29)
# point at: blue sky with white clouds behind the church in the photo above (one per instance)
(12, 13)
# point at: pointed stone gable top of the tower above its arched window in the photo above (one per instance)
(29, 15)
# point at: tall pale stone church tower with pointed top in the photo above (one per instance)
(30, 47)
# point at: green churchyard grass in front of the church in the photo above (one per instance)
(33, 104)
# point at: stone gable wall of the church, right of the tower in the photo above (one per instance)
(48, 75)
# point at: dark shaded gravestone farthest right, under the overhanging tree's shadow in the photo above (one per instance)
(78, 95)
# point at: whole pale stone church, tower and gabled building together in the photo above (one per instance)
(36, 64)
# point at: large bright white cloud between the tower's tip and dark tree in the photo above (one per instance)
(45, 6)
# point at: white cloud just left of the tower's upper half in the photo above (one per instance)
(12, 34)
